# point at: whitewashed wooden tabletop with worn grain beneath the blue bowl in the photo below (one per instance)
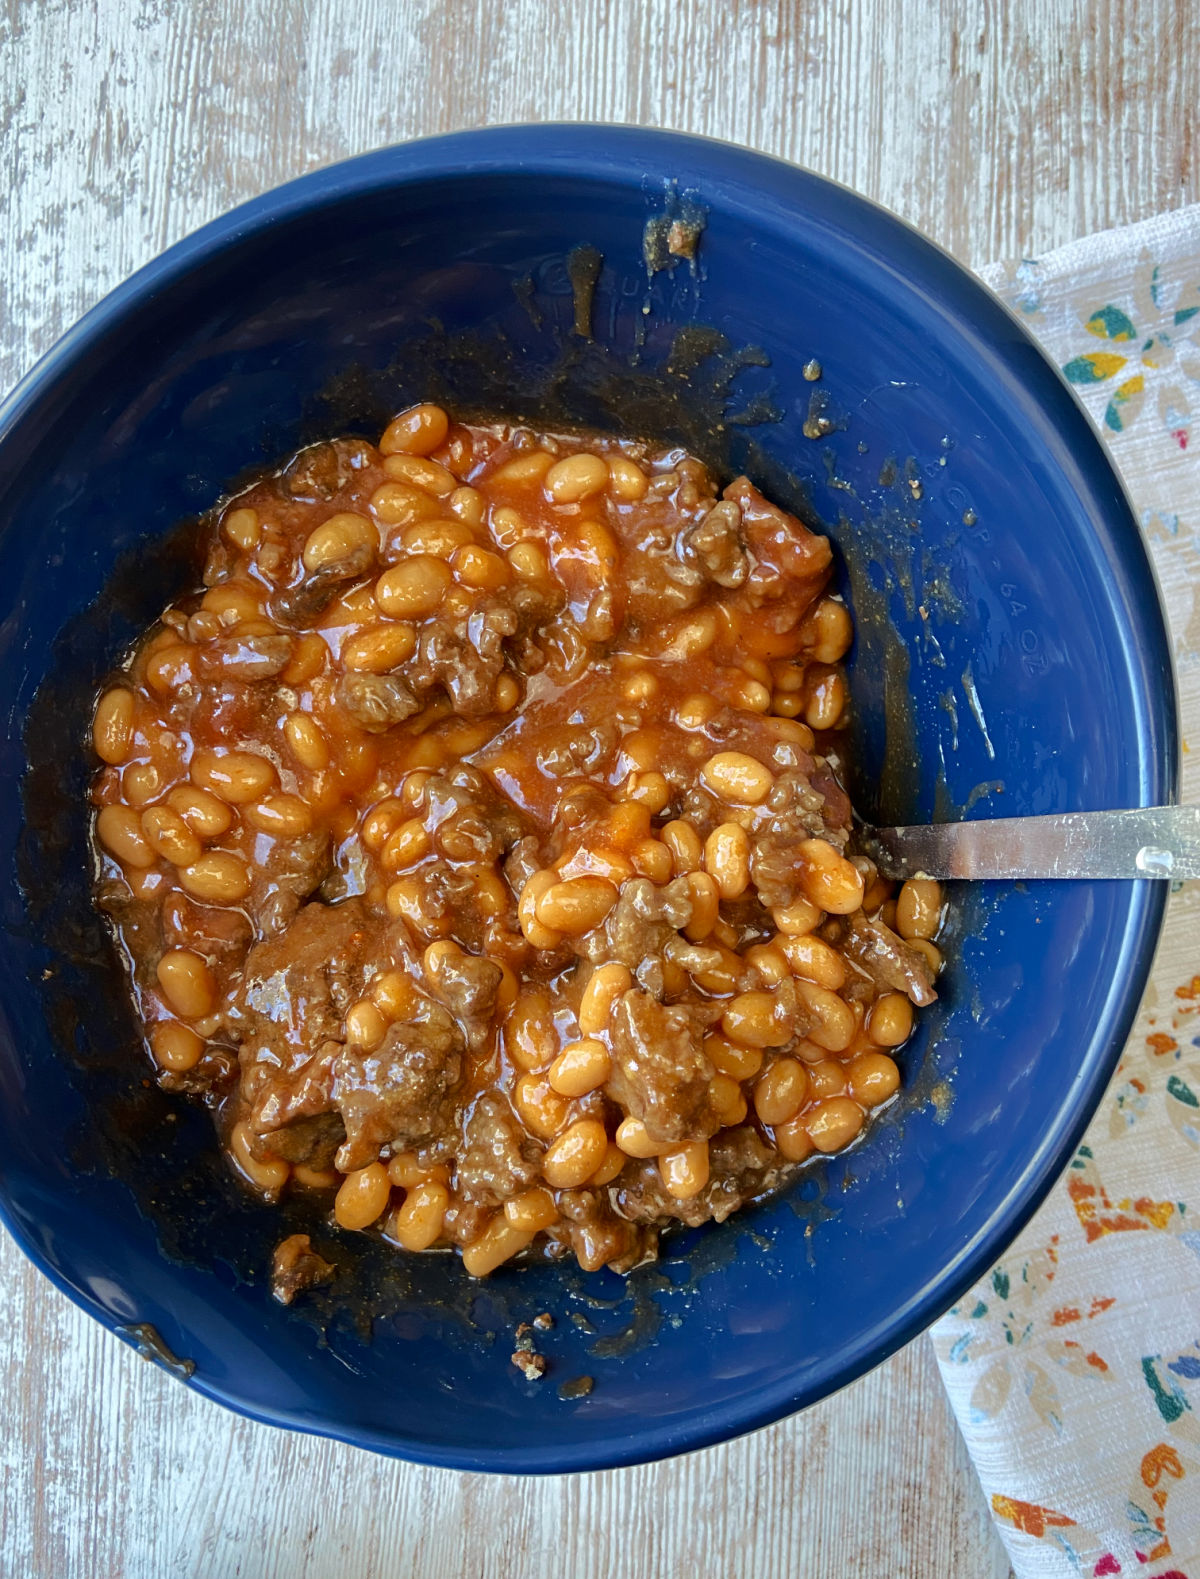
(1000, 130)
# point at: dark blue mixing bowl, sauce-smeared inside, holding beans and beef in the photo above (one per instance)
(1011, 659)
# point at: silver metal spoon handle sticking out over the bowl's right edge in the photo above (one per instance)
(1152, 842)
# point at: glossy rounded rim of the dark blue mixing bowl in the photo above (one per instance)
(612, 152)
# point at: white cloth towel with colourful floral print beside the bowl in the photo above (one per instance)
(1074, 1370)
